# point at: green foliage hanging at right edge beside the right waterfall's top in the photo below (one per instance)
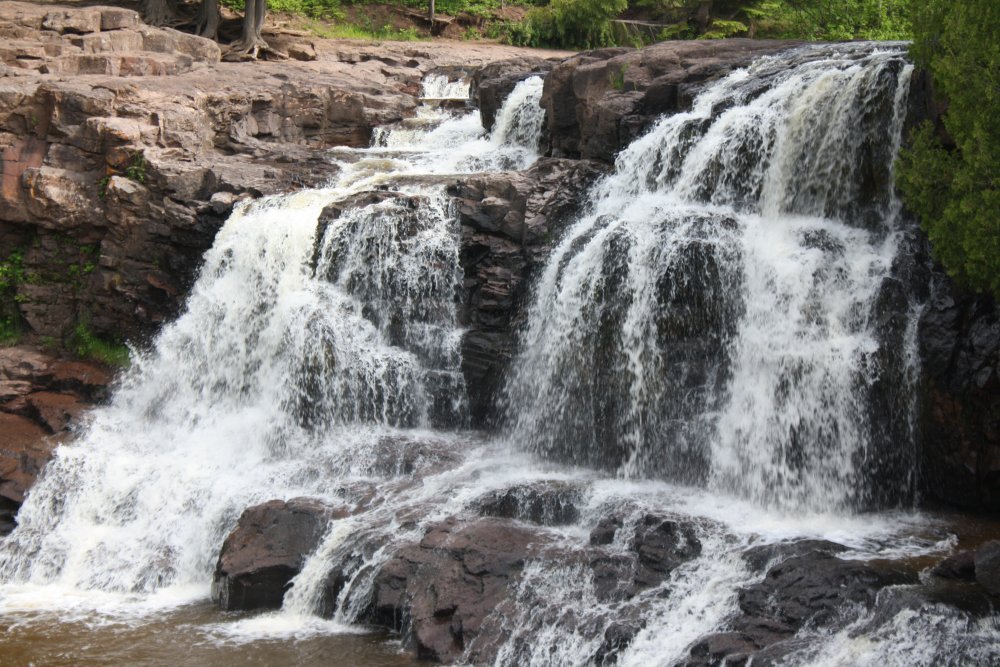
(951, 179)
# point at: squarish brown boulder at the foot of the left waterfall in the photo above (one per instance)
(266, 550)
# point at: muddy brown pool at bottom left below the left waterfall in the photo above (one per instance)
(190, 636)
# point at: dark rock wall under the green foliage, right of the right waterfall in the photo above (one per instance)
(959, 340)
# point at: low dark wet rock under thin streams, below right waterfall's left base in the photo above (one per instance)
(544, 503)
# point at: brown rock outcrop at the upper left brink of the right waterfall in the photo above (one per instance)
(597, 102)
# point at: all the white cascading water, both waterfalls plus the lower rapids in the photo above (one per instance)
(714, 318)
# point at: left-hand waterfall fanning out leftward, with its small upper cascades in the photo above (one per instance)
(308, 325)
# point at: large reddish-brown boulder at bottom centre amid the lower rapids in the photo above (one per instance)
(440, 593)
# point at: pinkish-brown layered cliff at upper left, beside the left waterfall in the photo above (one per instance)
(125, 146)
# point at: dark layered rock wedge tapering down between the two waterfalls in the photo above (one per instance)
(509, 223)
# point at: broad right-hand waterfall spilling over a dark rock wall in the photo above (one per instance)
(714, 318)
